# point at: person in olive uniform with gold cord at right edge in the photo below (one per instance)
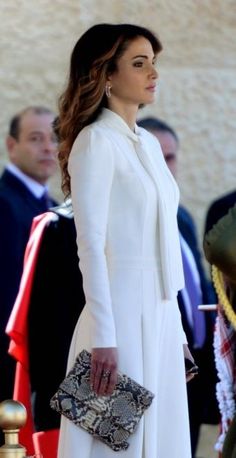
(219, 246)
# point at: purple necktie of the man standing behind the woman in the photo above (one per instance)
(195, 296)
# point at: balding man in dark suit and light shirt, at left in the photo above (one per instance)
(32, 149)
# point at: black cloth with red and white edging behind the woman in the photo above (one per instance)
(51, 299)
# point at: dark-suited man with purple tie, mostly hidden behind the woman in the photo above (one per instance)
(198, 325)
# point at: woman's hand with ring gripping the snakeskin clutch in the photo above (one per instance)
(103, 376)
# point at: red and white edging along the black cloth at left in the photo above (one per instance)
(18, 333)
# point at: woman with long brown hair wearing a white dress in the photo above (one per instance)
(125, 201)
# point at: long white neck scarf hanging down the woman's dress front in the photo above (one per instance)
(149, 153)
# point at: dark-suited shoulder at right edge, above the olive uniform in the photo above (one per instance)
(218, 209)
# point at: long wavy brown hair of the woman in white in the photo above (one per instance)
(93, 58)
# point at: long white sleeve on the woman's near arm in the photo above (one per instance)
(91, 167)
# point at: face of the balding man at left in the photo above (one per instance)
(35, 150)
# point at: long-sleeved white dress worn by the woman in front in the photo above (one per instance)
(118, 205)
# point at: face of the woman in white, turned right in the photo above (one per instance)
(134, 81)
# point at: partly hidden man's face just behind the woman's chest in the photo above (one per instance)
(169, 147)
